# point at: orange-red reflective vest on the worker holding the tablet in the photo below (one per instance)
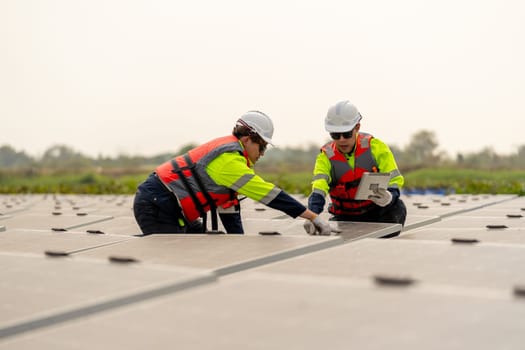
(345, 180)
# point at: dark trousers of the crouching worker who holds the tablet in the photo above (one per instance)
(394, 213)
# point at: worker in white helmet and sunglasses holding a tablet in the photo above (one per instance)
(340, 165)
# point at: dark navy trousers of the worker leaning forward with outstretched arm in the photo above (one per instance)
(157, 211)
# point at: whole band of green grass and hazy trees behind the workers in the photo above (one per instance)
(63, 170)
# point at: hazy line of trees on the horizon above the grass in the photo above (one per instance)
(421, 152)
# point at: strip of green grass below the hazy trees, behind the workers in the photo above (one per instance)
(447, 180)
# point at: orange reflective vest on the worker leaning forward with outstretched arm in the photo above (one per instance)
(187, 178)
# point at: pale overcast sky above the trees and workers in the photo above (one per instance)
(144, 77)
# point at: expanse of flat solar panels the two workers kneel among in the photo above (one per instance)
(76, 273)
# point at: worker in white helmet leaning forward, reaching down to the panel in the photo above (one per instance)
(179, 194)
